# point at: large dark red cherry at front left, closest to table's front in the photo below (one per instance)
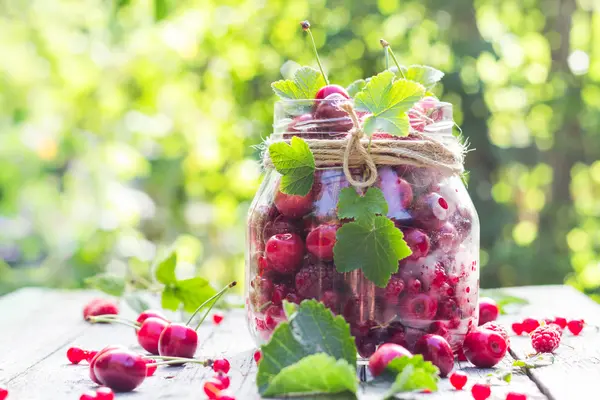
(120, 370)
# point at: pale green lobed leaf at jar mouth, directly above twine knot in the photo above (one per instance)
(388, 100)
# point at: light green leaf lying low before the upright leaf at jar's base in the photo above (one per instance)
(317, 373)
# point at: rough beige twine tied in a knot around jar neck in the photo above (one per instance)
(359, 152)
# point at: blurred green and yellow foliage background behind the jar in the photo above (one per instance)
(126, 125)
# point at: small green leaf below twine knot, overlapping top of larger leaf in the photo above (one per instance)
(353, 205)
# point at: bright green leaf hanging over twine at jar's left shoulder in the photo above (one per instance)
(296, 163)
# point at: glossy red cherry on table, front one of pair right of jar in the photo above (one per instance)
(484, 348)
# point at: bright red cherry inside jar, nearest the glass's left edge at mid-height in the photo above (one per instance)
(285, 252)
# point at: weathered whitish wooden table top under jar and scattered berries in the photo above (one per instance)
(39, 325)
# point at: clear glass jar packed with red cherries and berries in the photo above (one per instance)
(290, 240)
